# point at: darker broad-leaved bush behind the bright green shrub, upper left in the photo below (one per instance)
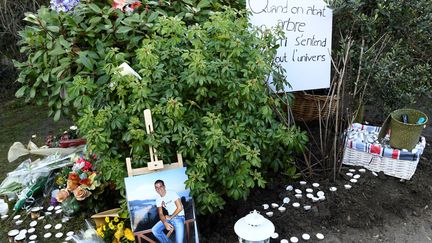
(61, 45)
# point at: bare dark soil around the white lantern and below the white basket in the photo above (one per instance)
(376, 209)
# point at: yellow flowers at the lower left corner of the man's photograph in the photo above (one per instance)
(114, 231)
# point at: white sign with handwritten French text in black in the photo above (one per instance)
(305, 51)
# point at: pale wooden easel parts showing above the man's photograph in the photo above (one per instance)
(155, 163)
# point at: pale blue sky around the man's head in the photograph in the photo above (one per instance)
(142, 187)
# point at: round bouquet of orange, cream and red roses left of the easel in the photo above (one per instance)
(78, 181)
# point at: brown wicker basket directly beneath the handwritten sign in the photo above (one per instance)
(309, 107)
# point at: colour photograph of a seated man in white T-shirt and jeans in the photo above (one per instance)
(161, 208)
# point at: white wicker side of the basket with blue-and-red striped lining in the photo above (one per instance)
(403, 169)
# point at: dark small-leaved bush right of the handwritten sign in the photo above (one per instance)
(391, 52)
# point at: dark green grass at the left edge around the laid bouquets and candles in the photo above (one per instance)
(18, 122)
